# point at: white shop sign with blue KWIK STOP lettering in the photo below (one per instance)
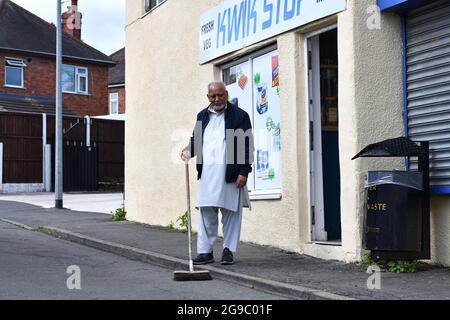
(235, 24)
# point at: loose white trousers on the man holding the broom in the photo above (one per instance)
(208, 228)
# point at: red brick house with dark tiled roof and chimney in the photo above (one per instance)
(27, 64)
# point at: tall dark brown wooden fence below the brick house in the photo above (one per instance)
(22, 137)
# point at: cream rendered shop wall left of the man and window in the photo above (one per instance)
(165, 89)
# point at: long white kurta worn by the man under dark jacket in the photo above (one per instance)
(214, 191)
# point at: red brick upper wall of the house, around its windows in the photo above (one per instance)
(39, 80)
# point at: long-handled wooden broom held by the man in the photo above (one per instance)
(190, 275)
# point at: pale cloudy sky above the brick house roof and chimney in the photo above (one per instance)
(103, 22)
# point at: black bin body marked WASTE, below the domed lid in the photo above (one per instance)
(393, 213)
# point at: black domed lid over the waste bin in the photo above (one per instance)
(397, 147)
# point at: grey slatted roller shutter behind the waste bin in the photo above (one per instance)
(428, 86)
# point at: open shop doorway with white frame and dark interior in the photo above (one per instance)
(324, 137)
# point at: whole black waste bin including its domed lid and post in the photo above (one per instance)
(397, 206)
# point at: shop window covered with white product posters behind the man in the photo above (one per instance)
(253, 85)
